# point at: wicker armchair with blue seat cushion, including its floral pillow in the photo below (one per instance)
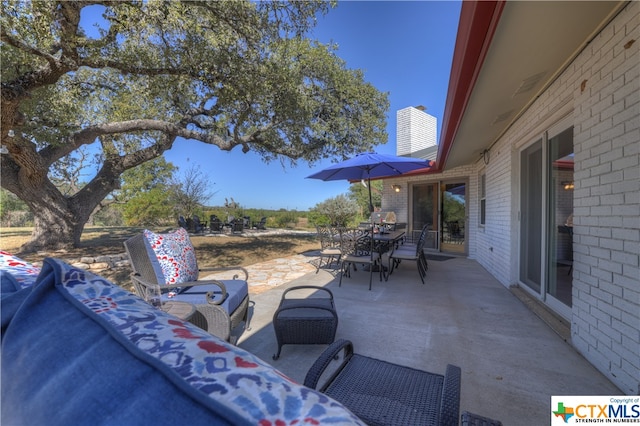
(166, 263)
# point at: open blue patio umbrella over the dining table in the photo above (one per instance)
(371, 165)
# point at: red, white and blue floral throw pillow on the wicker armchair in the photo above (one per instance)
(173, 256)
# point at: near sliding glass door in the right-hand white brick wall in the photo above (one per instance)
(546, 217)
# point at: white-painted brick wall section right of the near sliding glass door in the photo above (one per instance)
(606, 295)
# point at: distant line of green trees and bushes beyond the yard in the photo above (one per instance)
(153, 196)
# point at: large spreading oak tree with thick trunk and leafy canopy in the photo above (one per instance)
(234, 74)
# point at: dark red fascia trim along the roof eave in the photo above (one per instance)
(478, 23)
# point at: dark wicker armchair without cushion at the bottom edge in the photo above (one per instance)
(382, 393)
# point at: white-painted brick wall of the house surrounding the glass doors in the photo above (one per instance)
(605, 312)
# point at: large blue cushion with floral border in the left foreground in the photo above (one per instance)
(77, 349)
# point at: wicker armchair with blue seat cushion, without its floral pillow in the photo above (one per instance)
(212, 298)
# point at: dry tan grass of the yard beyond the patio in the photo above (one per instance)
(211, 250)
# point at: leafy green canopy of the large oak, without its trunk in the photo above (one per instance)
(235, 73)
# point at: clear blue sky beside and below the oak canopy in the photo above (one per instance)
(404, 48)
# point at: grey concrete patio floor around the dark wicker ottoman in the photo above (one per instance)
(511, 361)
